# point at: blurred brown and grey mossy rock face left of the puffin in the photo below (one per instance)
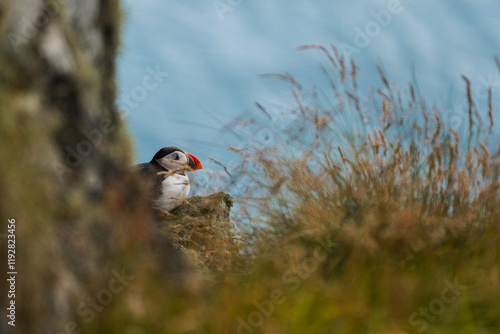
(82, 219)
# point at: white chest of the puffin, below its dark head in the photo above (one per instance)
(175, 188)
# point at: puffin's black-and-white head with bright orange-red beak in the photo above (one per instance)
(172, 157)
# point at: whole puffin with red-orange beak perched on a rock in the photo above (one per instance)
(166, 175)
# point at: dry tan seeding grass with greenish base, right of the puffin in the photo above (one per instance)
(361, 220)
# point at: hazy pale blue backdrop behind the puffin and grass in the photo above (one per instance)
(210, 55)
